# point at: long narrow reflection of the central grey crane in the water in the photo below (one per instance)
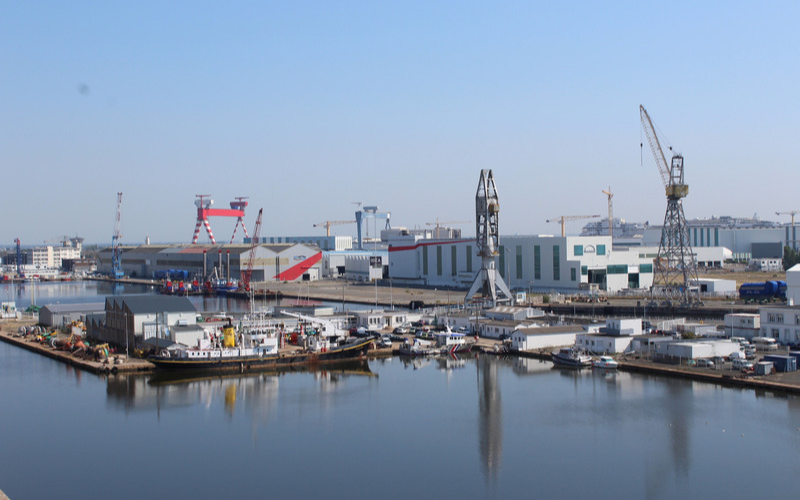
(490, 420)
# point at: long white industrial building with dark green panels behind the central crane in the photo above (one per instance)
(543, 263)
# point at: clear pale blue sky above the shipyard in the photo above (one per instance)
(307, 108)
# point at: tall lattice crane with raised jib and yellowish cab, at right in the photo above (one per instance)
(675, 267)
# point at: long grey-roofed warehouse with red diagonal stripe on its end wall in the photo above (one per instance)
(279, 262)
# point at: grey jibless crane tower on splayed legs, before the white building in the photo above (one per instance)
(487, 212)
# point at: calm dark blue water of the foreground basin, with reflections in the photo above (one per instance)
(467, 429)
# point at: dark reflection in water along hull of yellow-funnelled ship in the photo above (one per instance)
(351, 367)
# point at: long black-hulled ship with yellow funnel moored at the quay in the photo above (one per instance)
(258, 351)
